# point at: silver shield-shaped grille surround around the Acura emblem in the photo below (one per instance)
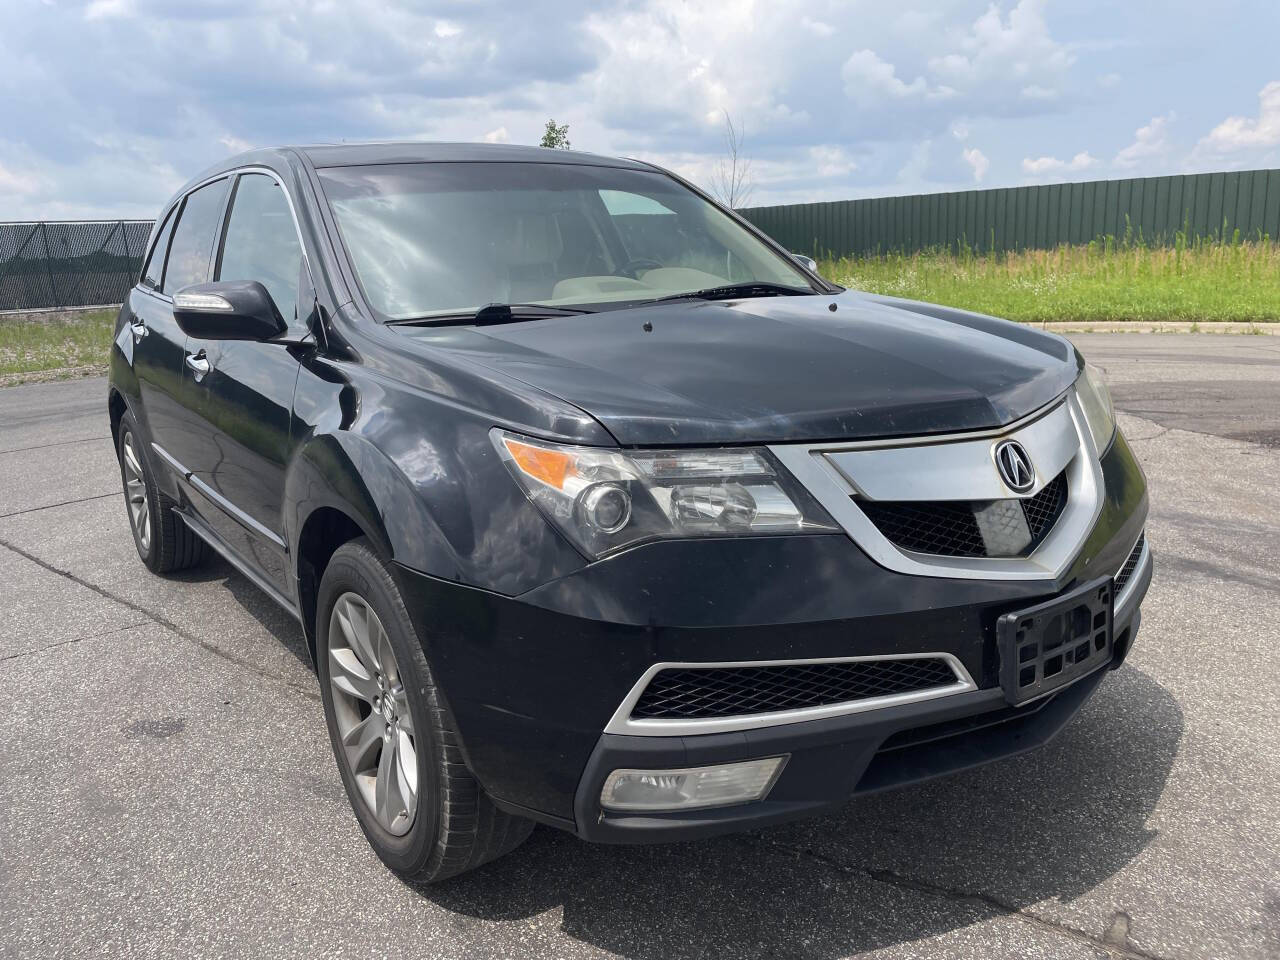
(959, 468)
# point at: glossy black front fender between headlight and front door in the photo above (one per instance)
(422, 478)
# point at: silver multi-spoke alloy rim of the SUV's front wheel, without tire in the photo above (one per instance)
(372, 707)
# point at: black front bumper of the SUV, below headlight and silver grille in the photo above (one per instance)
(533, 682)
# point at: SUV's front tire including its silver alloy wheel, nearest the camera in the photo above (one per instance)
(454, 828)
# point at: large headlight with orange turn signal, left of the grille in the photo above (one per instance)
(605, 500)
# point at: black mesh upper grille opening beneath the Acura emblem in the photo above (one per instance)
(952, 528)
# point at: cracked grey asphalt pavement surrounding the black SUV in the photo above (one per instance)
(167, 787)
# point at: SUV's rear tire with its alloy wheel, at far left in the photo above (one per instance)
(166, 545)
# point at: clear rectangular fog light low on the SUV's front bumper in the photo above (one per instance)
(691, 788)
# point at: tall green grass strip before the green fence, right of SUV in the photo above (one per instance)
(1108, 280)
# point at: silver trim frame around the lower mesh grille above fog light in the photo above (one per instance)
(623, 724)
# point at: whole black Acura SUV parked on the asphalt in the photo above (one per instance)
(601, 510)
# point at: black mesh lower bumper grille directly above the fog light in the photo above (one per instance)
(705, 693)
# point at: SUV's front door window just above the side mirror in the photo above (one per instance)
(262, 243)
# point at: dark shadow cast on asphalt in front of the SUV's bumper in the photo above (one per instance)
(888, 870)
